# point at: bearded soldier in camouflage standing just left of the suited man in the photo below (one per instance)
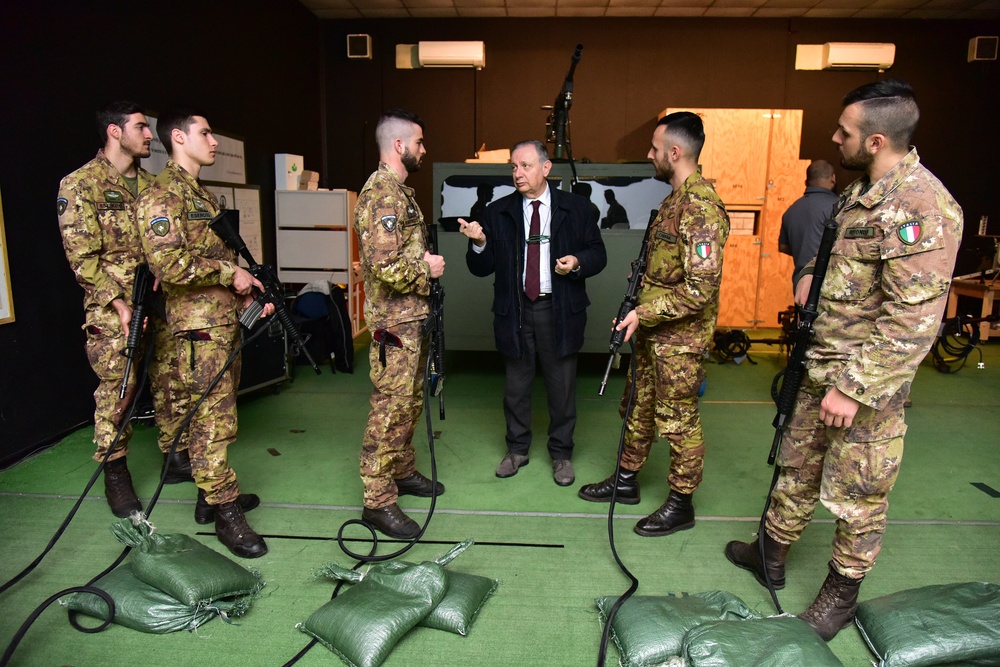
(398, 269)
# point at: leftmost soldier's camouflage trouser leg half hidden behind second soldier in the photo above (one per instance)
(171, 401)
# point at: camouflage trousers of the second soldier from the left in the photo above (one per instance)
(201, 356)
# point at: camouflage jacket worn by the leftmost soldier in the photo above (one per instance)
(96, 212)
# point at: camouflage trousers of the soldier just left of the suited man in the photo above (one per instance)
(397, 399)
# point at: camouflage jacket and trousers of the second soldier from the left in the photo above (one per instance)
(196, 270)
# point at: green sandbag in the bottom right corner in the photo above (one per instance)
(934, 625)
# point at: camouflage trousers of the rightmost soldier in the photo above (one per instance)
(850, 470)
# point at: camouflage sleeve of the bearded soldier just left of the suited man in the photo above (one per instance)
(399, 267)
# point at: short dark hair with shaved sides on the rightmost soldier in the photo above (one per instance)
(887, 107)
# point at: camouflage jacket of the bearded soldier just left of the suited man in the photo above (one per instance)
(392, 240)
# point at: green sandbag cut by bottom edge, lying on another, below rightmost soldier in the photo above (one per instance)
(778, 641)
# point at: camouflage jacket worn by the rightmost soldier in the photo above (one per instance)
(887, 282)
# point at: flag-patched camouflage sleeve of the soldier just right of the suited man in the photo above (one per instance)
(702, 233)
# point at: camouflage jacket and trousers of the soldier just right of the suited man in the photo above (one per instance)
(677, 308)
